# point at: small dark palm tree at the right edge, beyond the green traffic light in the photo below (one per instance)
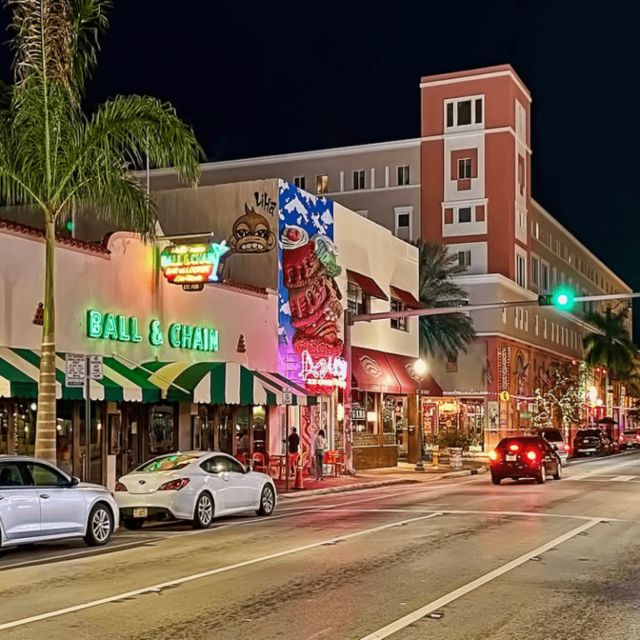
(609, 344)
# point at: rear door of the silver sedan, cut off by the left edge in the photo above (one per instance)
(19, 503)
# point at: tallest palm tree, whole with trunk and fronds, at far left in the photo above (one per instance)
(56, 159)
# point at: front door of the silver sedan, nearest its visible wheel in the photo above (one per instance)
(63, 508)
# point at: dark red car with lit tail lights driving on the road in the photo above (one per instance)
(524, 457)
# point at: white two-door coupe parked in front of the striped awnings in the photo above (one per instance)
(194, 486)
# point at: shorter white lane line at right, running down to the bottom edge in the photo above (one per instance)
(414, 616)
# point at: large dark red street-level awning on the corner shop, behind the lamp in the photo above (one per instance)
(388, 373)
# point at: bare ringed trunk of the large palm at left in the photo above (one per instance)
(46, 423)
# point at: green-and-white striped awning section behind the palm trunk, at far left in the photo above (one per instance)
(20, 368)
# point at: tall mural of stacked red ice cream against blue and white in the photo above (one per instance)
(310, 311)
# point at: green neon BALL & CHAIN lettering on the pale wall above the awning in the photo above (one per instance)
(120, 328)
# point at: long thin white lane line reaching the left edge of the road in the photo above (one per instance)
(156, 588)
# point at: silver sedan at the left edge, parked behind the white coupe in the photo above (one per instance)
(38, 502)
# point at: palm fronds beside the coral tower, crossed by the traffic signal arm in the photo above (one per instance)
(447, 334)
